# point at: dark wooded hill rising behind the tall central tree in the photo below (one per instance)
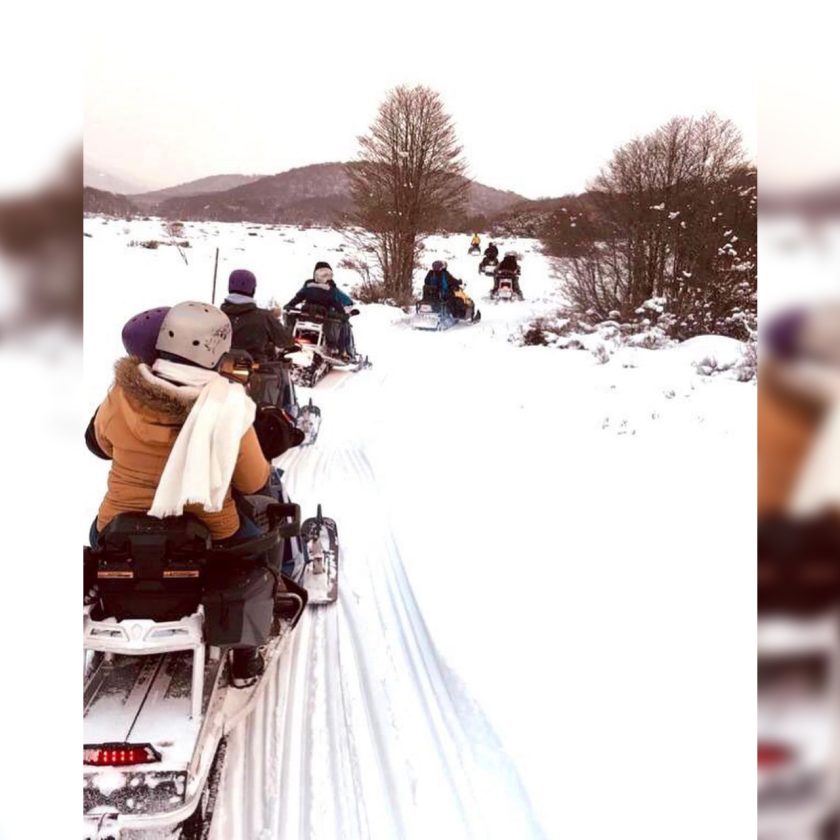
(315, 194)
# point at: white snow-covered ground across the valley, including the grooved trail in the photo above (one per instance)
(499, 509)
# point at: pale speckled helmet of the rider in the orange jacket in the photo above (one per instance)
(196, 332)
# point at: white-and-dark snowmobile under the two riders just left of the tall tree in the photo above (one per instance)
(311, 328)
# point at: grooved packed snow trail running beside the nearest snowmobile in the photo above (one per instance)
(363, 732)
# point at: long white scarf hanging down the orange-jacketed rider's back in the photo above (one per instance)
(200, 466)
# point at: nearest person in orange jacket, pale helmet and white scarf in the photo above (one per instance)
(163, 423)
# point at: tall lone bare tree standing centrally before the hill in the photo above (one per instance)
(410, 174)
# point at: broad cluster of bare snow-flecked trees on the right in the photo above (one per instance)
(672, 219)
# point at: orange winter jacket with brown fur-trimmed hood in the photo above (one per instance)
(137, 425)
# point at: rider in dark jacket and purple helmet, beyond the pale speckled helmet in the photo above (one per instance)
(256, 331)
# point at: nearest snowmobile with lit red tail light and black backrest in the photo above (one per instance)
(164, 609)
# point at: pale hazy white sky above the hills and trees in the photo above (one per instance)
(541, 95)
